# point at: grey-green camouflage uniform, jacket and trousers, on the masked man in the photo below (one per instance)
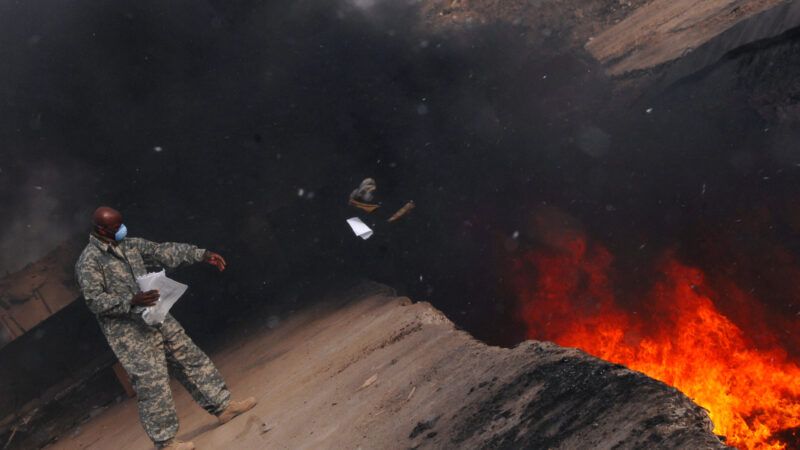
(107, 277)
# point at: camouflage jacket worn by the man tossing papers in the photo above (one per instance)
(107, 274)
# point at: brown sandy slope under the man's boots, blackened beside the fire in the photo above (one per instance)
(375, 371)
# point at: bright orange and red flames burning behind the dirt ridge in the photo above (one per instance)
(677, 335)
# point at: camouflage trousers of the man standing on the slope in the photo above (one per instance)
(149, 354)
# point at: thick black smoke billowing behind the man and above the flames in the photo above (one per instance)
(242, 126)
